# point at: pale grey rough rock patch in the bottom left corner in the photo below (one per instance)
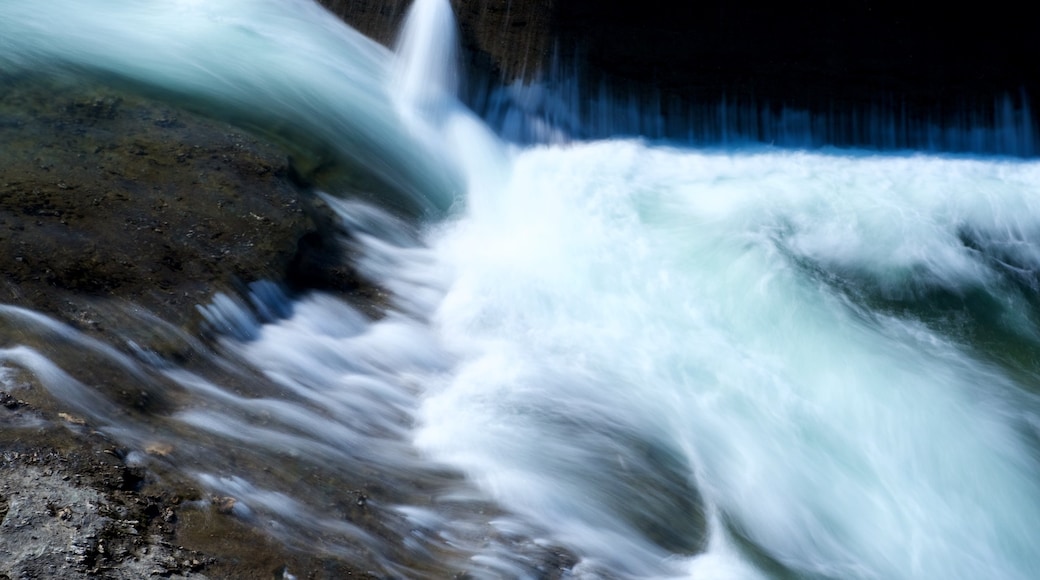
(67, 516)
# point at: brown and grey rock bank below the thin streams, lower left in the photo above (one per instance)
(71, 507)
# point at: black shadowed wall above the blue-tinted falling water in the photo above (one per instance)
(921, 62)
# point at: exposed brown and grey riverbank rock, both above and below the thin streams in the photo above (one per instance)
(118, 217)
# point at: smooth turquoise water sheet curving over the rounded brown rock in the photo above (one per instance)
(289, 70)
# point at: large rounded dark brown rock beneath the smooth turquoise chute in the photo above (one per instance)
(109, 197)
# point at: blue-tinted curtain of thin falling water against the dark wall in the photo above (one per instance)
(564, 104)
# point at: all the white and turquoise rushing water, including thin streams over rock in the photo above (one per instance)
(670, 362)
